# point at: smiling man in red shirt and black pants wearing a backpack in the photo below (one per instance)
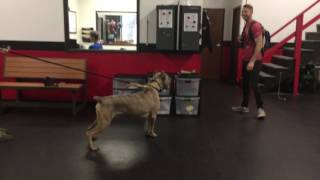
(252, 62)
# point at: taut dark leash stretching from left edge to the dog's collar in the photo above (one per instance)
(8, 50)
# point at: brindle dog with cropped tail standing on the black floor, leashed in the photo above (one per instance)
(144, 104)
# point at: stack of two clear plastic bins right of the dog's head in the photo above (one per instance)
(187, 94)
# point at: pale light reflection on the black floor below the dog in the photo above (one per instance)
(118, 155)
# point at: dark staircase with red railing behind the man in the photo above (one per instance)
(279, 68)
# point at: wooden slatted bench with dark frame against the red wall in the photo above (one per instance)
(29, 75)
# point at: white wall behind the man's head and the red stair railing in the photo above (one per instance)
(273, 14)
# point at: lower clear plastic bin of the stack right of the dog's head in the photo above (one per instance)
(187, 105)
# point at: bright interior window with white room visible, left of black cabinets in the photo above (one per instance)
(115, 22)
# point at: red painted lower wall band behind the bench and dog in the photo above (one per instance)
(109, 64)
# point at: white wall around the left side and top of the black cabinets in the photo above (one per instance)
(148, 11)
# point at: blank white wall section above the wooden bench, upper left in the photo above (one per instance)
(32, 20)
